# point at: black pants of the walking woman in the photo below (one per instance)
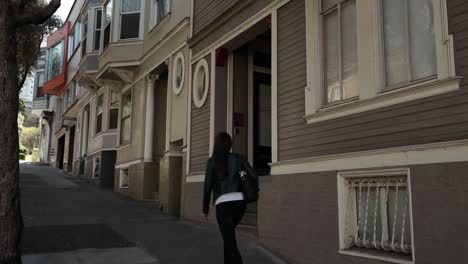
(229, 214)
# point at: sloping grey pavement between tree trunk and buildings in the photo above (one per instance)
(70, 221)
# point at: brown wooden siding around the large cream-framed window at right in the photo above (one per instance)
(434, 119)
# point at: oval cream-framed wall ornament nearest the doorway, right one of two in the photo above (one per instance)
(200, 83)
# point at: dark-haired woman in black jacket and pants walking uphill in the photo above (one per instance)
(224, 181)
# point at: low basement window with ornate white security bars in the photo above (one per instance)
(376, 214)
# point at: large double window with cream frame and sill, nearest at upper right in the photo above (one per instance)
(369, 54)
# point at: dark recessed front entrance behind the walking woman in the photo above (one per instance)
(250, 105)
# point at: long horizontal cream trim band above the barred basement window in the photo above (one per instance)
(443, 152)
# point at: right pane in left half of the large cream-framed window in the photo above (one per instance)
(349, 62)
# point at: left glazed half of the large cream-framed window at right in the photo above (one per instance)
(340, 58)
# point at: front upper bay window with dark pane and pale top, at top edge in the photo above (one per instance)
(130, 19)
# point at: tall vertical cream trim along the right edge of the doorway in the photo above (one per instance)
(274, 86)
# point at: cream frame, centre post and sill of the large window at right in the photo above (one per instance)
(372, 88)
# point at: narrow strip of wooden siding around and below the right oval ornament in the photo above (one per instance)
(200, 131)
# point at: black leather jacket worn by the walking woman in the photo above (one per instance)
(231, 183)
